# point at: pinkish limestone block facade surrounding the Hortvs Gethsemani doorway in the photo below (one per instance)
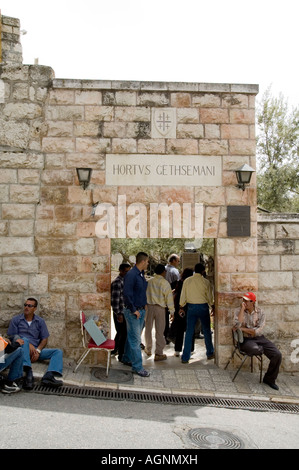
(86, 120)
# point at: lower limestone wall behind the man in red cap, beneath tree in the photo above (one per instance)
(278, 249)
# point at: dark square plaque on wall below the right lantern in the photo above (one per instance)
(238, 221)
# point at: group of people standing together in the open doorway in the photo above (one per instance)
(170, 303)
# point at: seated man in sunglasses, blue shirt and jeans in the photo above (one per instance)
(33, 330)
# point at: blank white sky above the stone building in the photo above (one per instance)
(214, 41)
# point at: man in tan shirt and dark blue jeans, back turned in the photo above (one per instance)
(197, 293)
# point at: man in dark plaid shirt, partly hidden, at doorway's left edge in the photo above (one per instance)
(117, 304)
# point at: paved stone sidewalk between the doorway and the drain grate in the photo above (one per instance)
(199, 377)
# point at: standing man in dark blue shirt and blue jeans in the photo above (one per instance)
(134, 292)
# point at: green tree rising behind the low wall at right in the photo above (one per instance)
(277, 154)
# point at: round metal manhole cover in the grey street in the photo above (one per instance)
(208, 438)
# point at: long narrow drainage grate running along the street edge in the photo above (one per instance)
(167, 399)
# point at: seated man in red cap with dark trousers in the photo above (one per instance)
(249, 322)
